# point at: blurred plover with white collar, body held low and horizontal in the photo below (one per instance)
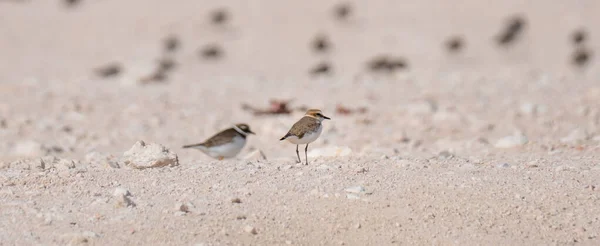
(225, 144)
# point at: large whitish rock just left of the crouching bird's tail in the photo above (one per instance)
(142, 156)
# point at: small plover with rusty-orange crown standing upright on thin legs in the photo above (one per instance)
(306, 130)
